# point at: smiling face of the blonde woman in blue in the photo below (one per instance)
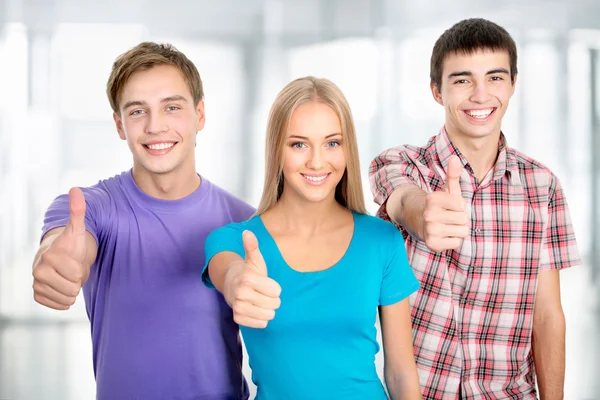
(313, 156)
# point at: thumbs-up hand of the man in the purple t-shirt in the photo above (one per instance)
(60, 272)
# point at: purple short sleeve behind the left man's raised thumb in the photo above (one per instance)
(57, 215)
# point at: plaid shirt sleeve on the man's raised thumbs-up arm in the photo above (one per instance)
(388, 171)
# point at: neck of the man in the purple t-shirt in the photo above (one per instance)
(174, 185)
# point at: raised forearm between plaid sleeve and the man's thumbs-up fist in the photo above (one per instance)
(405, 207)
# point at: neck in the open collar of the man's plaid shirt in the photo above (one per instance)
(481, 153)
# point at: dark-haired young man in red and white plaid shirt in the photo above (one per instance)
(487, 231)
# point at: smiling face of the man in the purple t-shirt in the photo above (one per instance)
(159, 121)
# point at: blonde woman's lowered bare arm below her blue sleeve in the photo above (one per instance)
(400, 369)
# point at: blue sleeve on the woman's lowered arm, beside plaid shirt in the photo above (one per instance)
(399, 281)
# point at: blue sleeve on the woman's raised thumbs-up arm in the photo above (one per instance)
(226, 238)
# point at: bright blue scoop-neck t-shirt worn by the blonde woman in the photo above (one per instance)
(323, 341)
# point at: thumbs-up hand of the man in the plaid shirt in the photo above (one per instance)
(445, 221)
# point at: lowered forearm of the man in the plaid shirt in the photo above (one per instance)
(549, 355)
